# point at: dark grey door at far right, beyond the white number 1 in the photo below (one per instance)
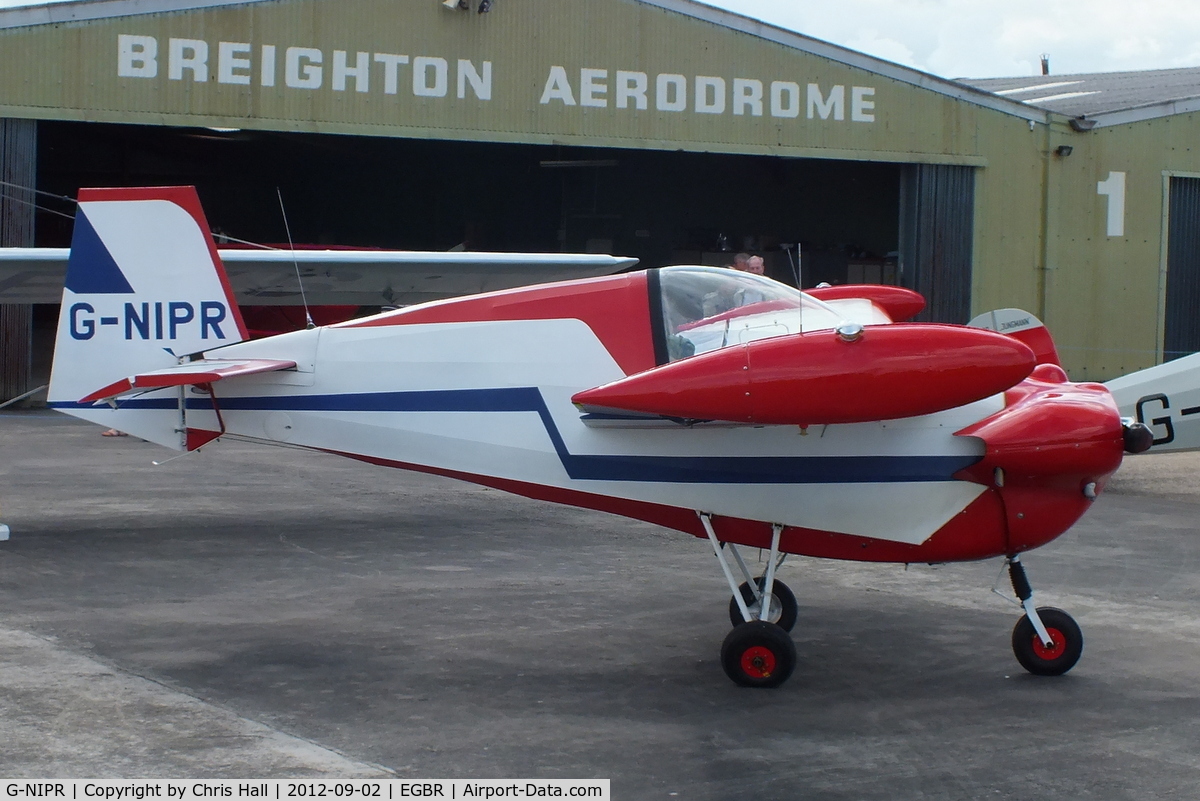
(1181, 333)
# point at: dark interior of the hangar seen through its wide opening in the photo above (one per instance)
(662, 207)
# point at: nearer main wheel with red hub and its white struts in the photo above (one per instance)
(758, 653)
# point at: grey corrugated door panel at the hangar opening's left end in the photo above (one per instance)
(19, 159)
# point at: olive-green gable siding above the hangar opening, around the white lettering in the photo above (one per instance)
(524, 40)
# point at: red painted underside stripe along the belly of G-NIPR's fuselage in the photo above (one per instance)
(975, 533)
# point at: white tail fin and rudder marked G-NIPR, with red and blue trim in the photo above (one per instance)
(145, 288)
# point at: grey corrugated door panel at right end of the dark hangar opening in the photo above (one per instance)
(937, 238)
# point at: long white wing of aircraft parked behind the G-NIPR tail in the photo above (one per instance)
(351, 278)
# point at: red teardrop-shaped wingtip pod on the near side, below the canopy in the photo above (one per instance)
(887, 372)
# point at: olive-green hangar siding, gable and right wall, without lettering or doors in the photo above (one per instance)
(1040, 239)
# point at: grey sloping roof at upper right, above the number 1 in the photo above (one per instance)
(1106, 97)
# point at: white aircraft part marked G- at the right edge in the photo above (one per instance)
(1167, 399)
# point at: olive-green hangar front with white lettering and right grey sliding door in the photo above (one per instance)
(662, 76)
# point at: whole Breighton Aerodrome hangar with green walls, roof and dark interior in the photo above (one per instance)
(664, 130)
